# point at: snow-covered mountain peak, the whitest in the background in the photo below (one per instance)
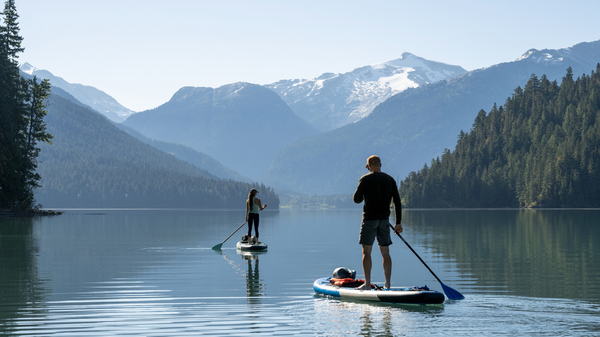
(334, 100)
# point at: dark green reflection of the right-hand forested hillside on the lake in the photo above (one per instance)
(542, 253)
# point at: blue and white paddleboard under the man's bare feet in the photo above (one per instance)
(414, 295)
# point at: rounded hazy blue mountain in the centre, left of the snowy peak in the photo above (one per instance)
(241, 125)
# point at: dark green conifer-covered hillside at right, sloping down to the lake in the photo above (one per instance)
(541, 149)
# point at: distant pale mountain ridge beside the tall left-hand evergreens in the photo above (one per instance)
(90, 96)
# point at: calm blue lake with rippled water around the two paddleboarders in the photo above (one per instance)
(153, 273)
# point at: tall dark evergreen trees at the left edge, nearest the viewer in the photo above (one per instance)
(22, 126)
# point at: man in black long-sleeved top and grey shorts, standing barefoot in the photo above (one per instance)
(377, 189)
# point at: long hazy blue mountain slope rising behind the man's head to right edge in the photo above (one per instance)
(415, 126)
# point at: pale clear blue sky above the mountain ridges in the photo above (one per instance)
(142, 51)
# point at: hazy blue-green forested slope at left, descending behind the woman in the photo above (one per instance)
(92, 163)
